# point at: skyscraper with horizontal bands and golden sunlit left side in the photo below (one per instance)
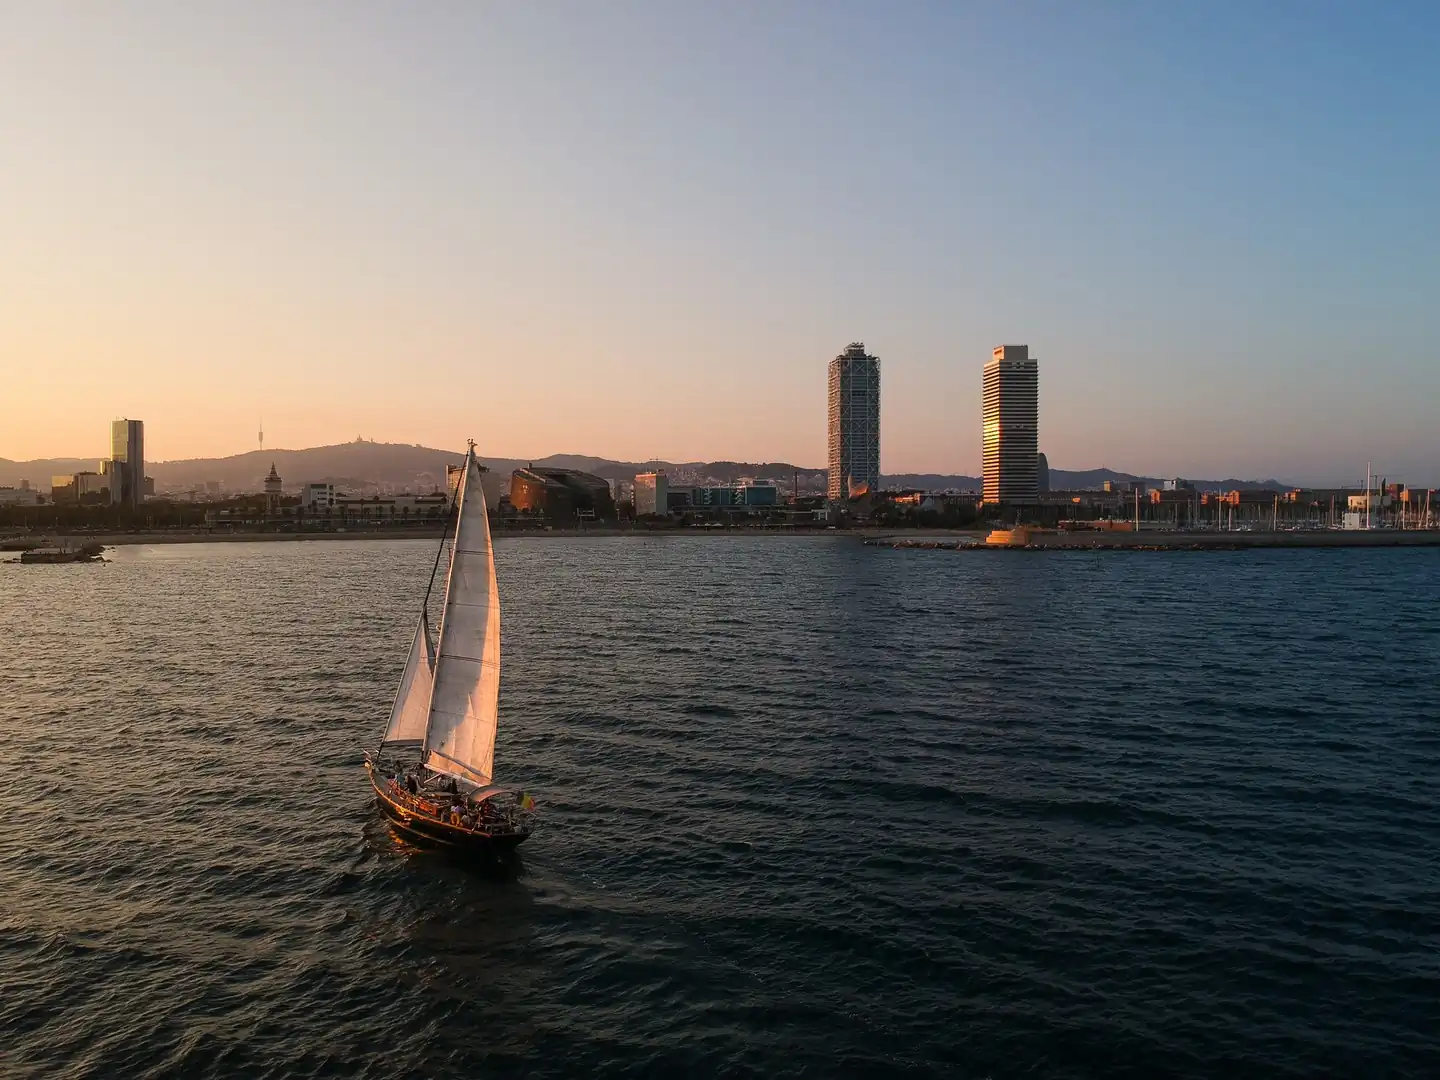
(1012, 426)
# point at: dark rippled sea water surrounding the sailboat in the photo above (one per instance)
(810, 810)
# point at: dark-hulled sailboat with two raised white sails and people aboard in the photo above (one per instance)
(434, 770)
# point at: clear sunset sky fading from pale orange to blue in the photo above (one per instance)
(643, 230)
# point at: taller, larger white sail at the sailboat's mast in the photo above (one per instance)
(460, 737)
